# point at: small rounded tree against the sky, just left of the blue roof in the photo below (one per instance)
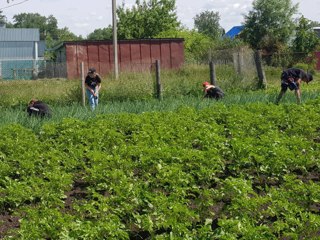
(208, 23)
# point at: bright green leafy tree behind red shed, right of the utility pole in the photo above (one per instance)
(146, 19)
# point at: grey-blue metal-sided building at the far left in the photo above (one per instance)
(20, 50)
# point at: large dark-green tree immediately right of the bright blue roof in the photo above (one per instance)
(269, 25)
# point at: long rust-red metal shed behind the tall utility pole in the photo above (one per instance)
(133, 55)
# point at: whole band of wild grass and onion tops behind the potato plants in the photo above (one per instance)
(134, 93)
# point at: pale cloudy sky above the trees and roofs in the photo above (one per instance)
(83, 16)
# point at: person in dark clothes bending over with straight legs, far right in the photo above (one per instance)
(292, 78)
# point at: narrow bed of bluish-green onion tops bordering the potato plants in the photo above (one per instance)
(18, 115)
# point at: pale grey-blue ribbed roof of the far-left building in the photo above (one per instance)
(19, 34)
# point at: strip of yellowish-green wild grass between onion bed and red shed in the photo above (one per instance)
(186, 81)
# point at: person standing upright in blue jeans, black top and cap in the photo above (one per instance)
(93, 86)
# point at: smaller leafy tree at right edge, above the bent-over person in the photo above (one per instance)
(306, 40)
